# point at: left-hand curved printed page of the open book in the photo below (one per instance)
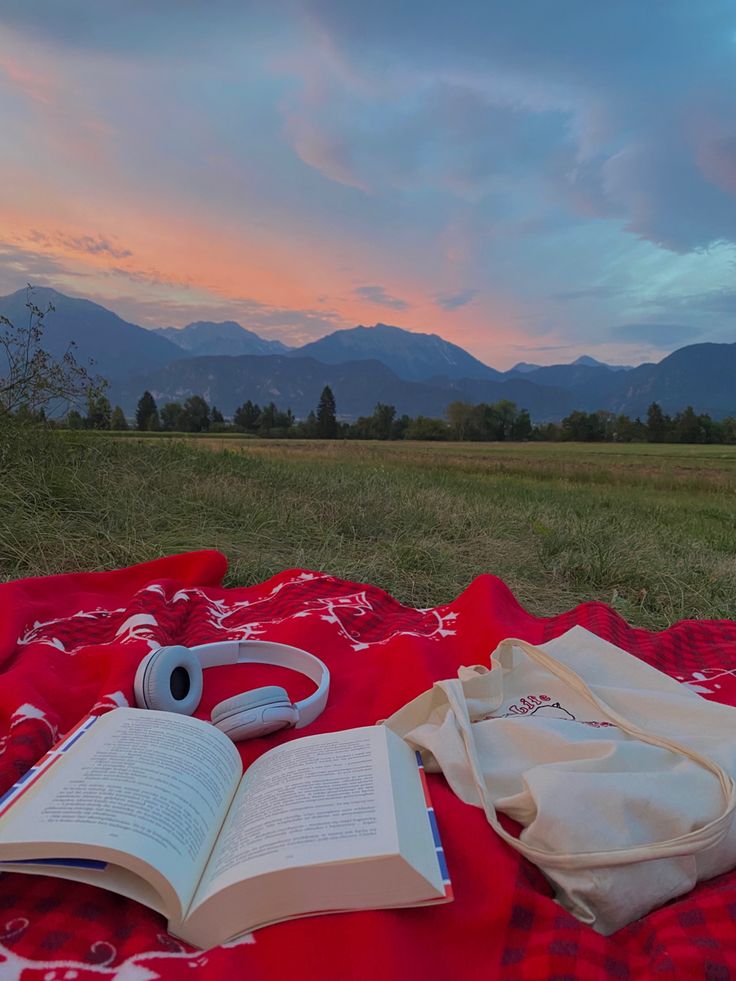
(151, 784)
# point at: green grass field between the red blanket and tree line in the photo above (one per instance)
(650, 529)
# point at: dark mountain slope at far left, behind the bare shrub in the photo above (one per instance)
(118, 348)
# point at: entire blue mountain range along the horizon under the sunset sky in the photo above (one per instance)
(418, 373)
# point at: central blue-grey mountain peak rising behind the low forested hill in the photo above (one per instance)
(413, 356)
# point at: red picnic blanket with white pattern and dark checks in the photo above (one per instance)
(71, 643)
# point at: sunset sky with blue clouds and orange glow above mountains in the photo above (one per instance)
(532, 181)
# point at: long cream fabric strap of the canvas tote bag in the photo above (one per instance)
(686, 844)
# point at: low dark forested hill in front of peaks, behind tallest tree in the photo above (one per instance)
(296, 383)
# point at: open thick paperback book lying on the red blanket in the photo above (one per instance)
(155, 806)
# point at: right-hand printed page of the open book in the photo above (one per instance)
(319, 799)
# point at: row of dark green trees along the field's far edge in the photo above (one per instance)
(483, 422)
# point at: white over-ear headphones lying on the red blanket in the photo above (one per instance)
(170, 679)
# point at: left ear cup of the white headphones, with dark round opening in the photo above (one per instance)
(170, 680)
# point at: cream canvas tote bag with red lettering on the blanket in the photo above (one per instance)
(619, 775)
